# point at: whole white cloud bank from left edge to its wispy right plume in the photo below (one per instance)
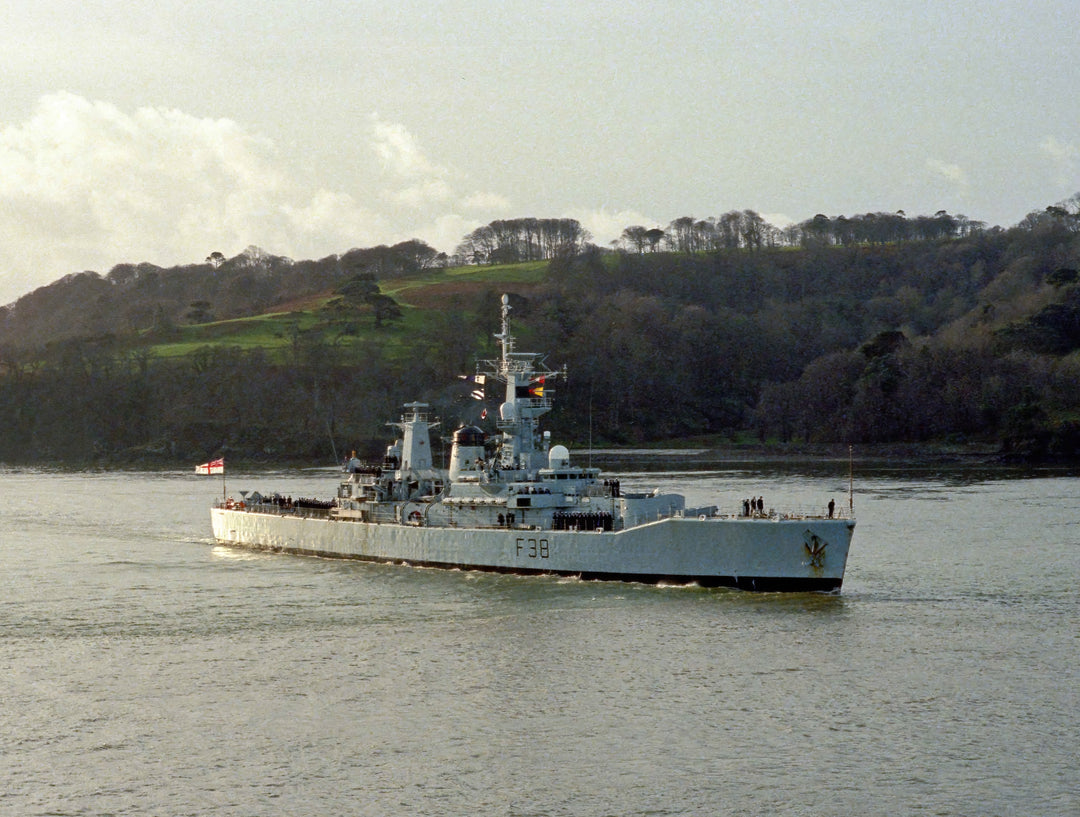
(85, 185)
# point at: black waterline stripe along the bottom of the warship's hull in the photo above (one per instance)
(760, 584)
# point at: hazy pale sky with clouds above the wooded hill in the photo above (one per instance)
(166, 131)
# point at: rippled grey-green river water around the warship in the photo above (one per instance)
(148, 672)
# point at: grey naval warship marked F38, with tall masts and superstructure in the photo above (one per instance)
(515, 503)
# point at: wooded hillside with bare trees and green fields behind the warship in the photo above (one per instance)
(876, 329)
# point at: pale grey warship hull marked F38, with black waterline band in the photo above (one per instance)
(773, 554)
